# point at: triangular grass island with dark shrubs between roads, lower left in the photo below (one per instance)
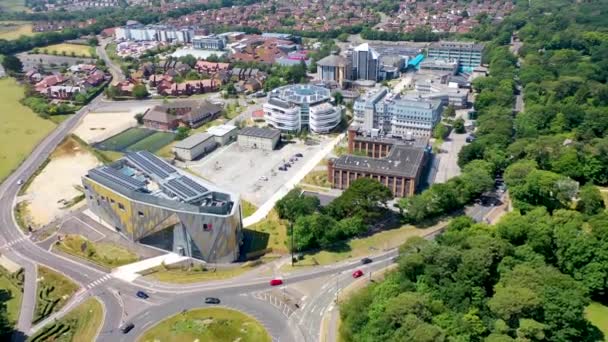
(54, 290)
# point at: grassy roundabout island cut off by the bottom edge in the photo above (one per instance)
(209, 324)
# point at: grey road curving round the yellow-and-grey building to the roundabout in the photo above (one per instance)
(164, 300)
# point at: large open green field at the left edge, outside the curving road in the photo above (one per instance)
(20, 128)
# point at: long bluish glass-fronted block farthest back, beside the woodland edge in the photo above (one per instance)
(467, 54)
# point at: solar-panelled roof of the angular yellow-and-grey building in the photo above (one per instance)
(143, 176)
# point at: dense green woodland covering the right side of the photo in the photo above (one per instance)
(529, 277)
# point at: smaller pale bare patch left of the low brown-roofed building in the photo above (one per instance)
(96, 127)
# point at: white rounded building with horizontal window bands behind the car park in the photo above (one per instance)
(294, 108)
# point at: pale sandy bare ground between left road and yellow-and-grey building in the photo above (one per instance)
(56, 184)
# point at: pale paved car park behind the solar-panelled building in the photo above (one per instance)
(242, 169)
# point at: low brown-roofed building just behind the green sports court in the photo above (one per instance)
(169, 116)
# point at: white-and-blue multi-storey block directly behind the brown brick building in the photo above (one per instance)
(396, 115)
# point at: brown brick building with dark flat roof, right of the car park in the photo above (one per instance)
(396, 163)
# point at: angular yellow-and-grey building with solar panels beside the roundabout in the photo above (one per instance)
(150, 201)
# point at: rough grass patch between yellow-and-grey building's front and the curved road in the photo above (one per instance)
(105, 254)
